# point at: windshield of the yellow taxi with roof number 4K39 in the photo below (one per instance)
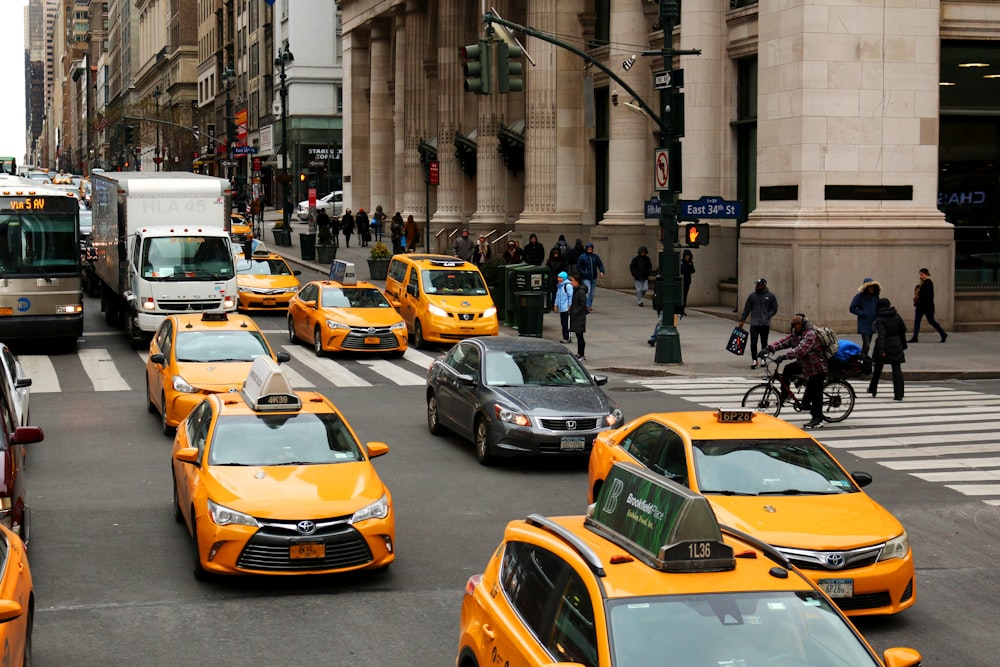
(282, 439)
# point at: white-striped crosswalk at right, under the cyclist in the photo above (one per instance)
(948, 435)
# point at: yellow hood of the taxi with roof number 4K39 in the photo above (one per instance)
(295, 492)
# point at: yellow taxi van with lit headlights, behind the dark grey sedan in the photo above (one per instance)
(442, 299)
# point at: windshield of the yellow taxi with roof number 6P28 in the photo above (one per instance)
(780, 466)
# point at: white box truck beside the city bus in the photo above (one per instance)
(162, 247)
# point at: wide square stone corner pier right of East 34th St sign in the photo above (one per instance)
(847, 158)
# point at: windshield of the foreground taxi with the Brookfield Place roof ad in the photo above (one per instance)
(733, 629)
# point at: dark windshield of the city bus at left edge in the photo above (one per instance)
(38, 244)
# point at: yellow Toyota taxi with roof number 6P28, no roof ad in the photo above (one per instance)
(772, 480)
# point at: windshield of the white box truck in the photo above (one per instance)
(186, 258)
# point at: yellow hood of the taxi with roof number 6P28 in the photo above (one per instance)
(841, 521)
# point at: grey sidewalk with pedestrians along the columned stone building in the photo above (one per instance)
(618, 329)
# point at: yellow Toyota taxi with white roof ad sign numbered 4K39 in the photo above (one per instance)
(273, 481)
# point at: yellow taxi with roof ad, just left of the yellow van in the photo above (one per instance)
(345, 315)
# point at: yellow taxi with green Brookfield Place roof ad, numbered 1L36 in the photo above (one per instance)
(649, 577)
